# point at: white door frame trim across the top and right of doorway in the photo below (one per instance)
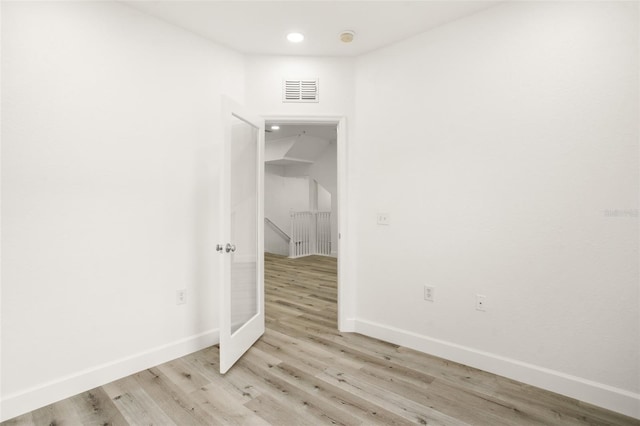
(346, 320)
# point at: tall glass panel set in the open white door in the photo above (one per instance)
(244, 214)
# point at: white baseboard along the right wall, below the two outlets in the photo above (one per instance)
(609, 397)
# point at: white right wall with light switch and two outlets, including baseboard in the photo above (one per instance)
(515, 132)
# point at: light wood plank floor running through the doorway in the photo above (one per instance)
(304, 372)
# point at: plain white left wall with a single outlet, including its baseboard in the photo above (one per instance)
(109, 194)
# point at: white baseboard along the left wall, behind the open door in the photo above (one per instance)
(47, 393)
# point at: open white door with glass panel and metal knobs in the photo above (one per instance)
(242, 250)
